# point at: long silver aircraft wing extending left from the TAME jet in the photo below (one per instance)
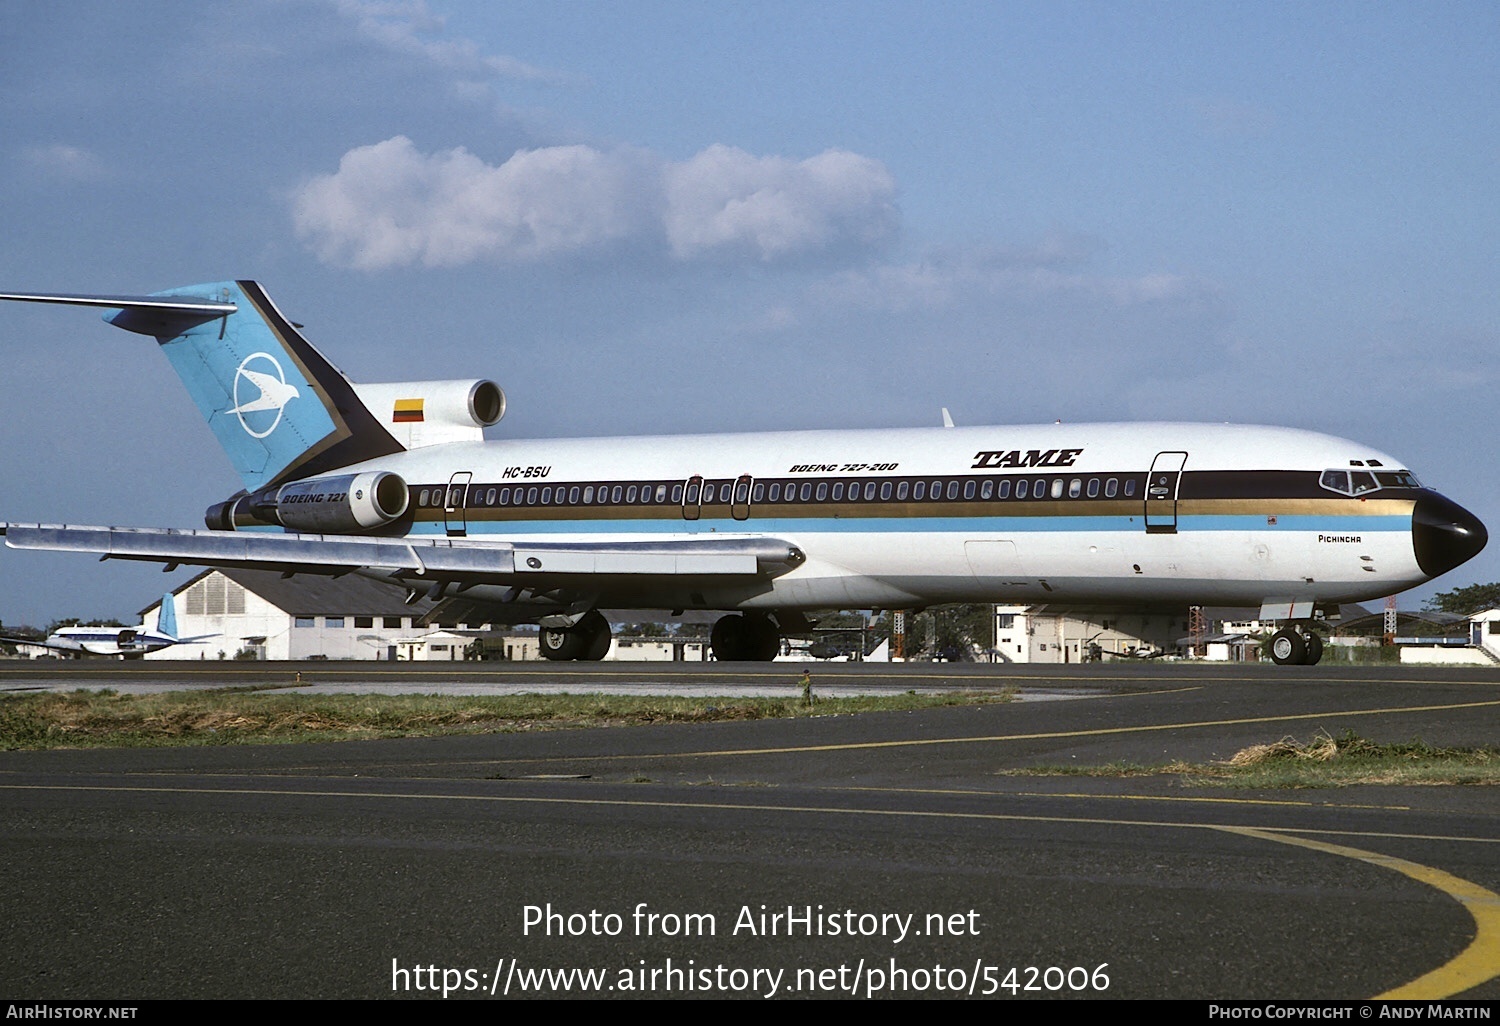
(424, 559)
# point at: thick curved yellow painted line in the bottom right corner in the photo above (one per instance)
(1472, 967)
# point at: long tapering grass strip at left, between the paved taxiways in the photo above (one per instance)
(242, 716)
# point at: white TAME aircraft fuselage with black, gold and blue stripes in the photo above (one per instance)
(907, 518)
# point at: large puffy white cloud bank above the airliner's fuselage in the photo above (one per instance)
(391, 205)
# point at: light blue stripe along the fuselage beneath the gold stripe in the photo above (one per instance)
(934, 526)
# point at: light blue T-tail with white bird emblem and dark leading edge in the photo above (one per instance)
(277, 406)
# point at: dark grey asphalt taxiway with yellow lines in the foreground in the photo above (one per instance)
(884, 854)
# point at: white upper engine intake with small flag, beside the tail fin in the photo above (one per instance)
(431, 413)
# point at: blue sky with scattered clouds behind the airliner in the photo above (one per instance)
(661, 218)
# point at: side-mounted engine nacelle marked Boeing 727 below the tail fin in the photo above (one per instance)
(340, 505)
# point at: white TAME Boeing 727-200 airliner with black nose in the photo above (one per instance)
(397, 482)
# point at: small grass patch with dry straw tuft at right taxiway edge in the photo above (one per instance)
(1322, 763)
